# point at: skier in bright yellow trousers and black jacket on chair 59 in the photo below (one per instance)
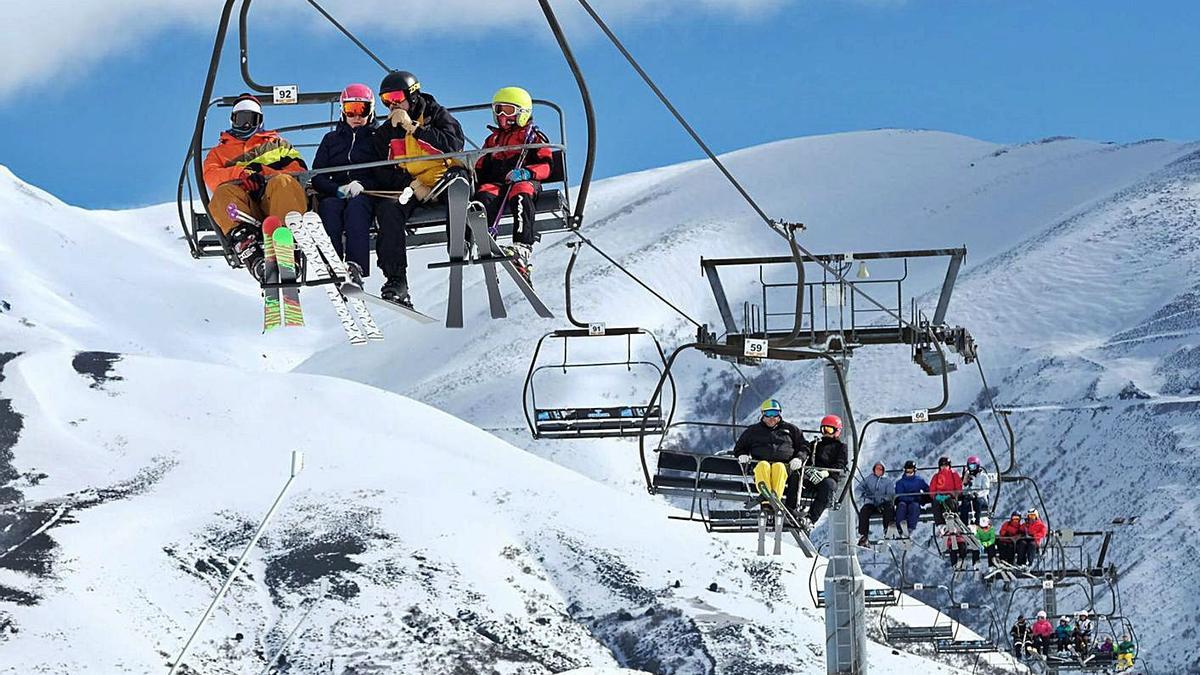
(781, 450)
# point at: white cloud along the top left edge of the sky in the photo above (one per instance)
(65, 39)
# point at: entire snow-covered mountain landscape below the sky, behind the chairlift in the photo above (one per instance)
(428, 533)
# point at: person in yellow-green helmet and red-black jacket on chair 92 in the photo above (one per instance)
(512, 180)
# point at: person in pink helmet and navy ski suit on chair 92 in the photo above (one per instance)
(344, 208)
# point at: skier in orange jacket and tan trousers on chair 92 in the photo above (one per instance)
(251, 169)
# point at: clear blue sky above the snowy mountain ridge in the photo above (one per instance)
(107, 126)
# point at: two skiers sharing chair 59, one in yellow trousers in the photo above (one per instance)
(785, 459)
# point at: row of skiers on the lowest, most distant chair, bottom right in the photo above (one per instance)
(1067, 640)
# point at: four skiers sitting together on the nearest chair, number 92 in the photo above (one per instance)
(256, 170)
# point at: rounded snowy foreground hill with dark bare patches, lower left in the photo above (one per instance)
(427, 545)
